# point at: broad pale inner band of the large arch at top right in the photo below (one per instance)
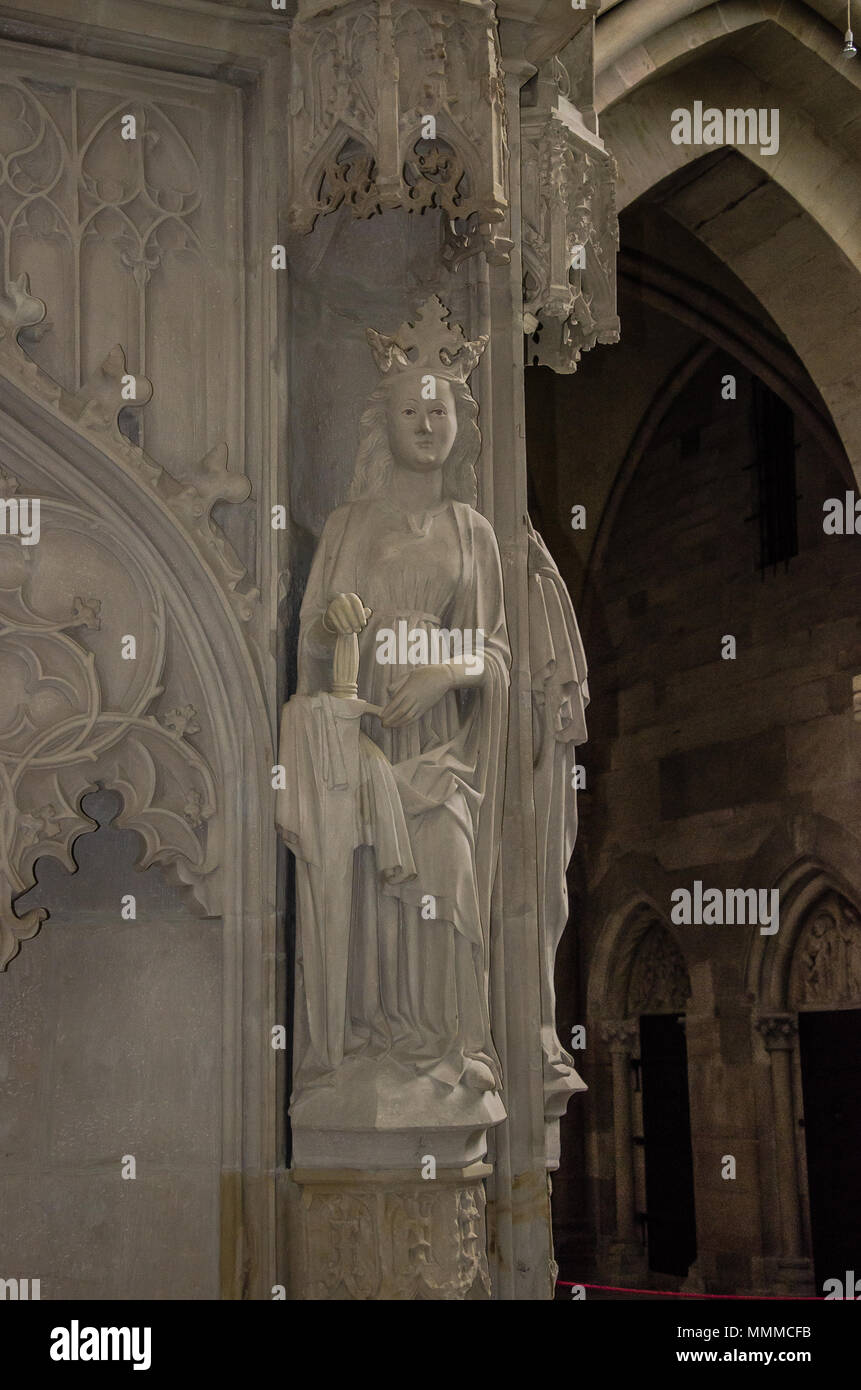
(824, 237)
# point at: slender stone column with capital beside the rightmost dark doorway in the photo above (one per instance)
(780, 1033)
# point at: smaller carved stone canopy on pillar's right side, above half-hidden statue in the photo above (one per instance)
(571, 231)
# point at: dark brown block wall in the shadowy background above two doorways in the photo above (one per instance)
(700, 768)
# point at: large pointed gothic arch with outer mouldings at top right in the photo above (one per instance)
(812, 176)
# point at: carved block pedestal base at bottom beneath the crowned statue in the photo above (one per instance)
(389, 1235)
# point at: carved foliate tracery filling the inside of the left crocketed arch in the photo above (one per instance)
(77, 717)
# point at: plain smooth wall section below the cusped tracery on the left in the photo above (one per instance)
(111, 1038)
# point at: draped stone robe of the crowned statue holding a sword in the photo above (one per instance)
(417, 981)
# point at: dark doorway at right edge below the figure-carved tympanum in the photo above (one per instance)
(831, 1077)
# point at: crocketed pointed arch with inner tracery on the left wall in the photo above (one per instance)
(101, 493)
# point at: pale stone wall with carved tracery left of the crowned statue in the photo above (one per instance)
(138, 215)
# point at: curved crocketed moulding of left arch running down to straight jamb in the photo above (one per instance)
(81, 468)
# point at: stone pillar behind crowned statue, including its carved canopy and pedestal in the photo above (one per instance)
(404, 106)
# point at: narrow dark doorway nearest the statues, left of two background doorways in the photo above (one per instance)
(670, 1168)
